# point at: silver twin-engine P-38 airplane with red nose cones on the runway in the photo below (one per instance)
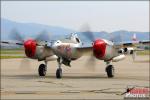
(71, 49)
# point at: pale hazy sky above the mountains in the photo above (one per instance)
(100, 15)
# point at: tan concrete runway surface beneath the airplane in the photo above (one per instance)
(81, 81)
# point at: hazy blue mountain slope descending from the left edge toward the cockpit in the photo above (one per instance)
(29, 29)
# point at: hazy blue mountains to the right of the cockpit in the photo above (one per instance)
(118, 36)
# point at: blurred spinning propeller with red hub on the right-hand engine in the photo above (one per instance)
(98, 47)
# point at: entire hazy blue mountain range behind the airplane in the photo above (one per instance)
(32, 30)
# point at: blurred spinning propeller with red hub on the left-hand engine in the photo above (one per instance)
(29, 44)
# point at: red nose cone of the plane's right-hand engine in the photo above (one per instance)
(99, 47)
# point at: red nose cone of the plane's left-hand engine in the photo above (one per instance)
(30, 48)
